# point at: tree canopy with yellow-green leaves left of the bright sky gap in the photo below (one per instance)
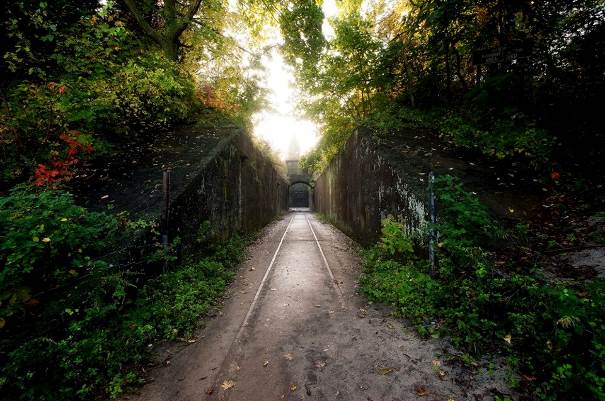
(111, 72)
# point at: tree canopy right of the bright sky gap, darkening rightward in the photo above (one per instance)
(509, 75)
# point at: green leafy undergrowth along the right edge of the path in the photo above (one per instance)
(553, 334)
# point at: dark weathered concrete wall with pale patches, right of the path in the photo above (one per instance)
(366, 183)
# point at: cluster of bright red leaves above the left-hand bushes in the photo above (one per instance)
(62, 169)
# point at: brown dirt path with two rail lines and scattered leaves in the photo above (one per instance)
(293, 328)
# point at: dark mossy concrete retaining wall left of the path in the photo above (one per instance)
(236, 189)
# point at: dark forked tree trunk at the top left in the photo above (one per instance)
(175, 19)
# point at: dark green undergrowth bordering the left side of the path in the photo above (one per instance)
(71, 298)
